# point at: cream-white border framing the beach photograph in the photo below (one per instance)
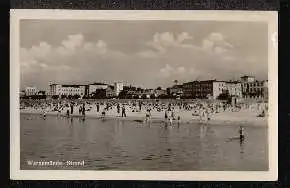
(270, 17)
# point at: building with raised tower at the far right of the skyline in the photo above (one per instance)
(252, 88)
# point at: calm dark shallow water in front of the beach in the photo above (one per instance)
(129, 145)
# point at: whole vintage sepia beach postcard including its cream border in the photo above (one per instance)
(144, 95)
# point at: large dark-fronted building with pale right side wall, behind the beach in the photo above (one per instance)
(207, 89)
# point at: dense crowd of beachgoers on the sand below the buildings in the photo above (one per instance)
(172, 110)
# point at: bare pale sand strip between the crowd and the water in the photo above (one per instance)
(242, 117)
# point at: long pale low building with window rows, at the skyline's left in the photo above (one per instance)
(67, 90)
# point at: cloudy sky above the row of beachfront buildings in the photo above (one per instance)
(143, 53)
